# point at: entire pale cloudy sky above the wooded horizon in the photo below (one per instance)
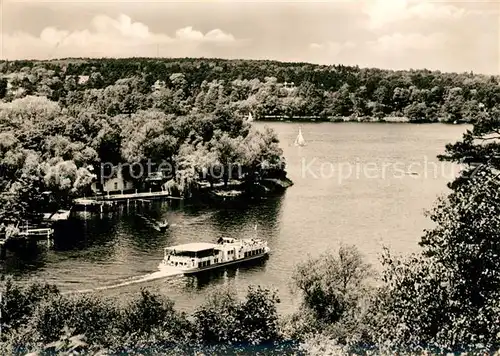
(395, 34)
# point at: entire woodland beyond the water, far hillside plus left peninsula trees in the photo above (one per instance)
(61, 120)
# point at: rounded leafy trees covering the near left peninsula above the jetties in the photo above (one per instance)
(61, 145)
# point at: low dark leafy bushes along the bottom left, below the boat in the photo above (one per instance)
(38, 318)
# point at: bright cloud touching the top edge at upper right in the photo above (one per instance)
(383, 12)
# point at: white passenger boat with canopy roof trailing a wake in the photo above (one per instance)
(197, 257)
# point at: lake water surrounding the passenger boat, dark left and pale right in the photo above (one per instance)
(361, 184)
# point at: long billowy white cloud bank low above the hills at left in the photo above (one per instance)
(111, 37)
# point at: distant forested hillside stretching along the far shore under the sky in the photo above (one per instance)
(322, 92)
